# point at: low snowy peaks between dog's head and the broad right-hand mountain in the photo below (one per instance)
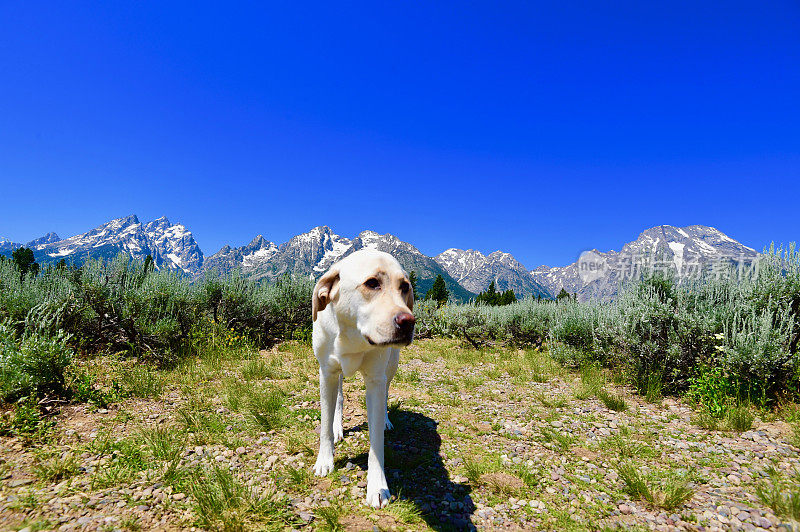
(476, 271)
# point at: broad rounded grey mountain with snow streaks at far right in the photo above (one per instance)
(688, 253)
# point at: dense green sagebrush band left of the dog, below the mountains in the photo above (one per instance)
(122, 305)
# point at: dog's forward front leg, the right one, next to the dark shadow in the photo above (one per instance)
(377, 489)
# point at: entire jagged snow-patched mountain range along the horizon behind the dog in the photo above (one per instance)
(686, 252)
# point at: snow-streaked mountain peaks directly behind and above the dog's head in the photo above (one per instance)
(312, 253)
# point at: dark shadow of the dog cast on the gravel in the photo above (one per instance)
(415, 471)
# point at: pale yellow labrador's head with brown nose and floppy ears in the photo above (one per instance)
(370, 292)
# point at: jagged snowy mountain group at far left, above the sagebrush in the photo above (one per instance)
(170, 245)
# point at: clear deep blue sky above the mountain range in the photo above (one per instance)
(534, 127)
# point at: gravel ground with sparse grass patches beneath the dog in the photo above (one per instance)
(477, 444)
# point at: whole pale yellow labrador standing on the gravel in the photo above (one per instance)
(361, 310)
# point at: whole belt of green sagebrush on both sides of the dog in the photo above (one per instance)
(734, 335)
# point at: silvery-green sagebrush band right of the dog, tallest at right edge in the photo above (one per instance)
(734, 335)
